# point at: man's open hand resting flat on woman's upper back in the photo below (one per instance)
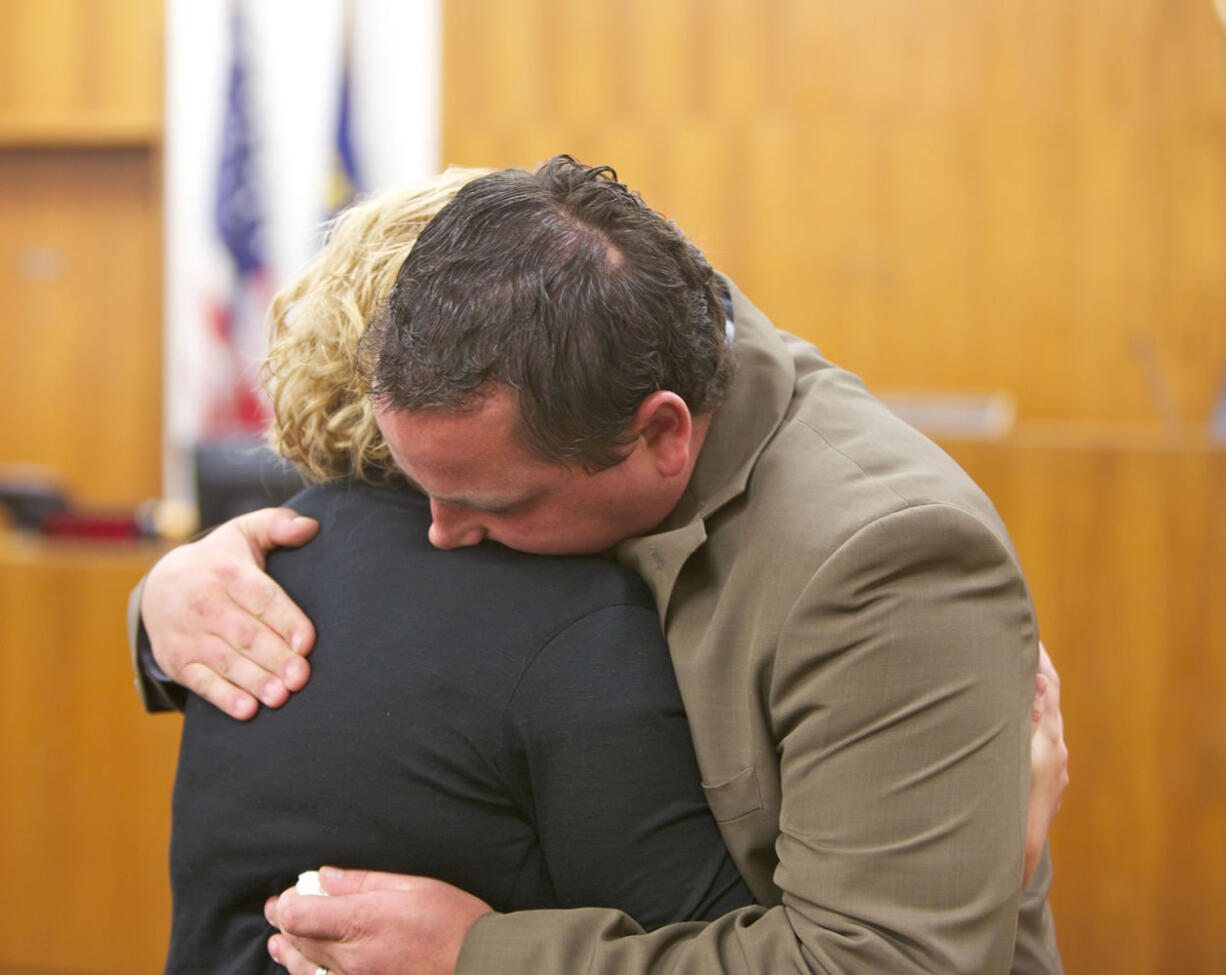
(223, 629)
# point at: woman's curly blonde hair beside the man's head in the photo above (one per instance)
(323, 421)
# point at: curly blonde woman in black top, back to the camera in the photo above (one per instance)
(503, 722)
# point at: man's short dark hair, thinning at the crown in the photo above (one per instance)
(563, 285)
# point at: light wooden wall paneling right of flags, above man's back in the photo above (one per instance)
(1027, 196)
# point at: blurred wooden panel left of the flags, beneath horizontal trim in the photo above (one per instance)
(80, 269)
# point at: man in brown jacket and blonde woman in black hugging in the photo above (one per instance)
(643, 638)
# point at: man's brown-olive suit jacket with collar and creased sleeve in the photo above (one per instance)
(856, 647)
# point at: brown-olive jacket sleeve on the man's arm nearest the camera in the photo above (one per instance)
(900, 703)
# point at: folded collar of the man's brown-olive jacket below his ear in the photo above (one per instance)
(752, 411)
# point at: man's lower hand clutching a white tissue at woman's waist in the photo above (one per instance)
(372, 924)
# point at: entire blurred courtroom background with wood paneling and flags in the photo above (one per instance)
(1008, 216)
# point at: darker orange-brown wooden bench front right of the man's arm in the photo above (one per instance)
(1124, 546)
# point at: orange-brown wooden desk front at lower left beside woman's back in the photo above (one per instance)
(88, 776)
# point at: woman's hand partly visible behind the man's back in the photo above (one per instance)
(1049, 762)
